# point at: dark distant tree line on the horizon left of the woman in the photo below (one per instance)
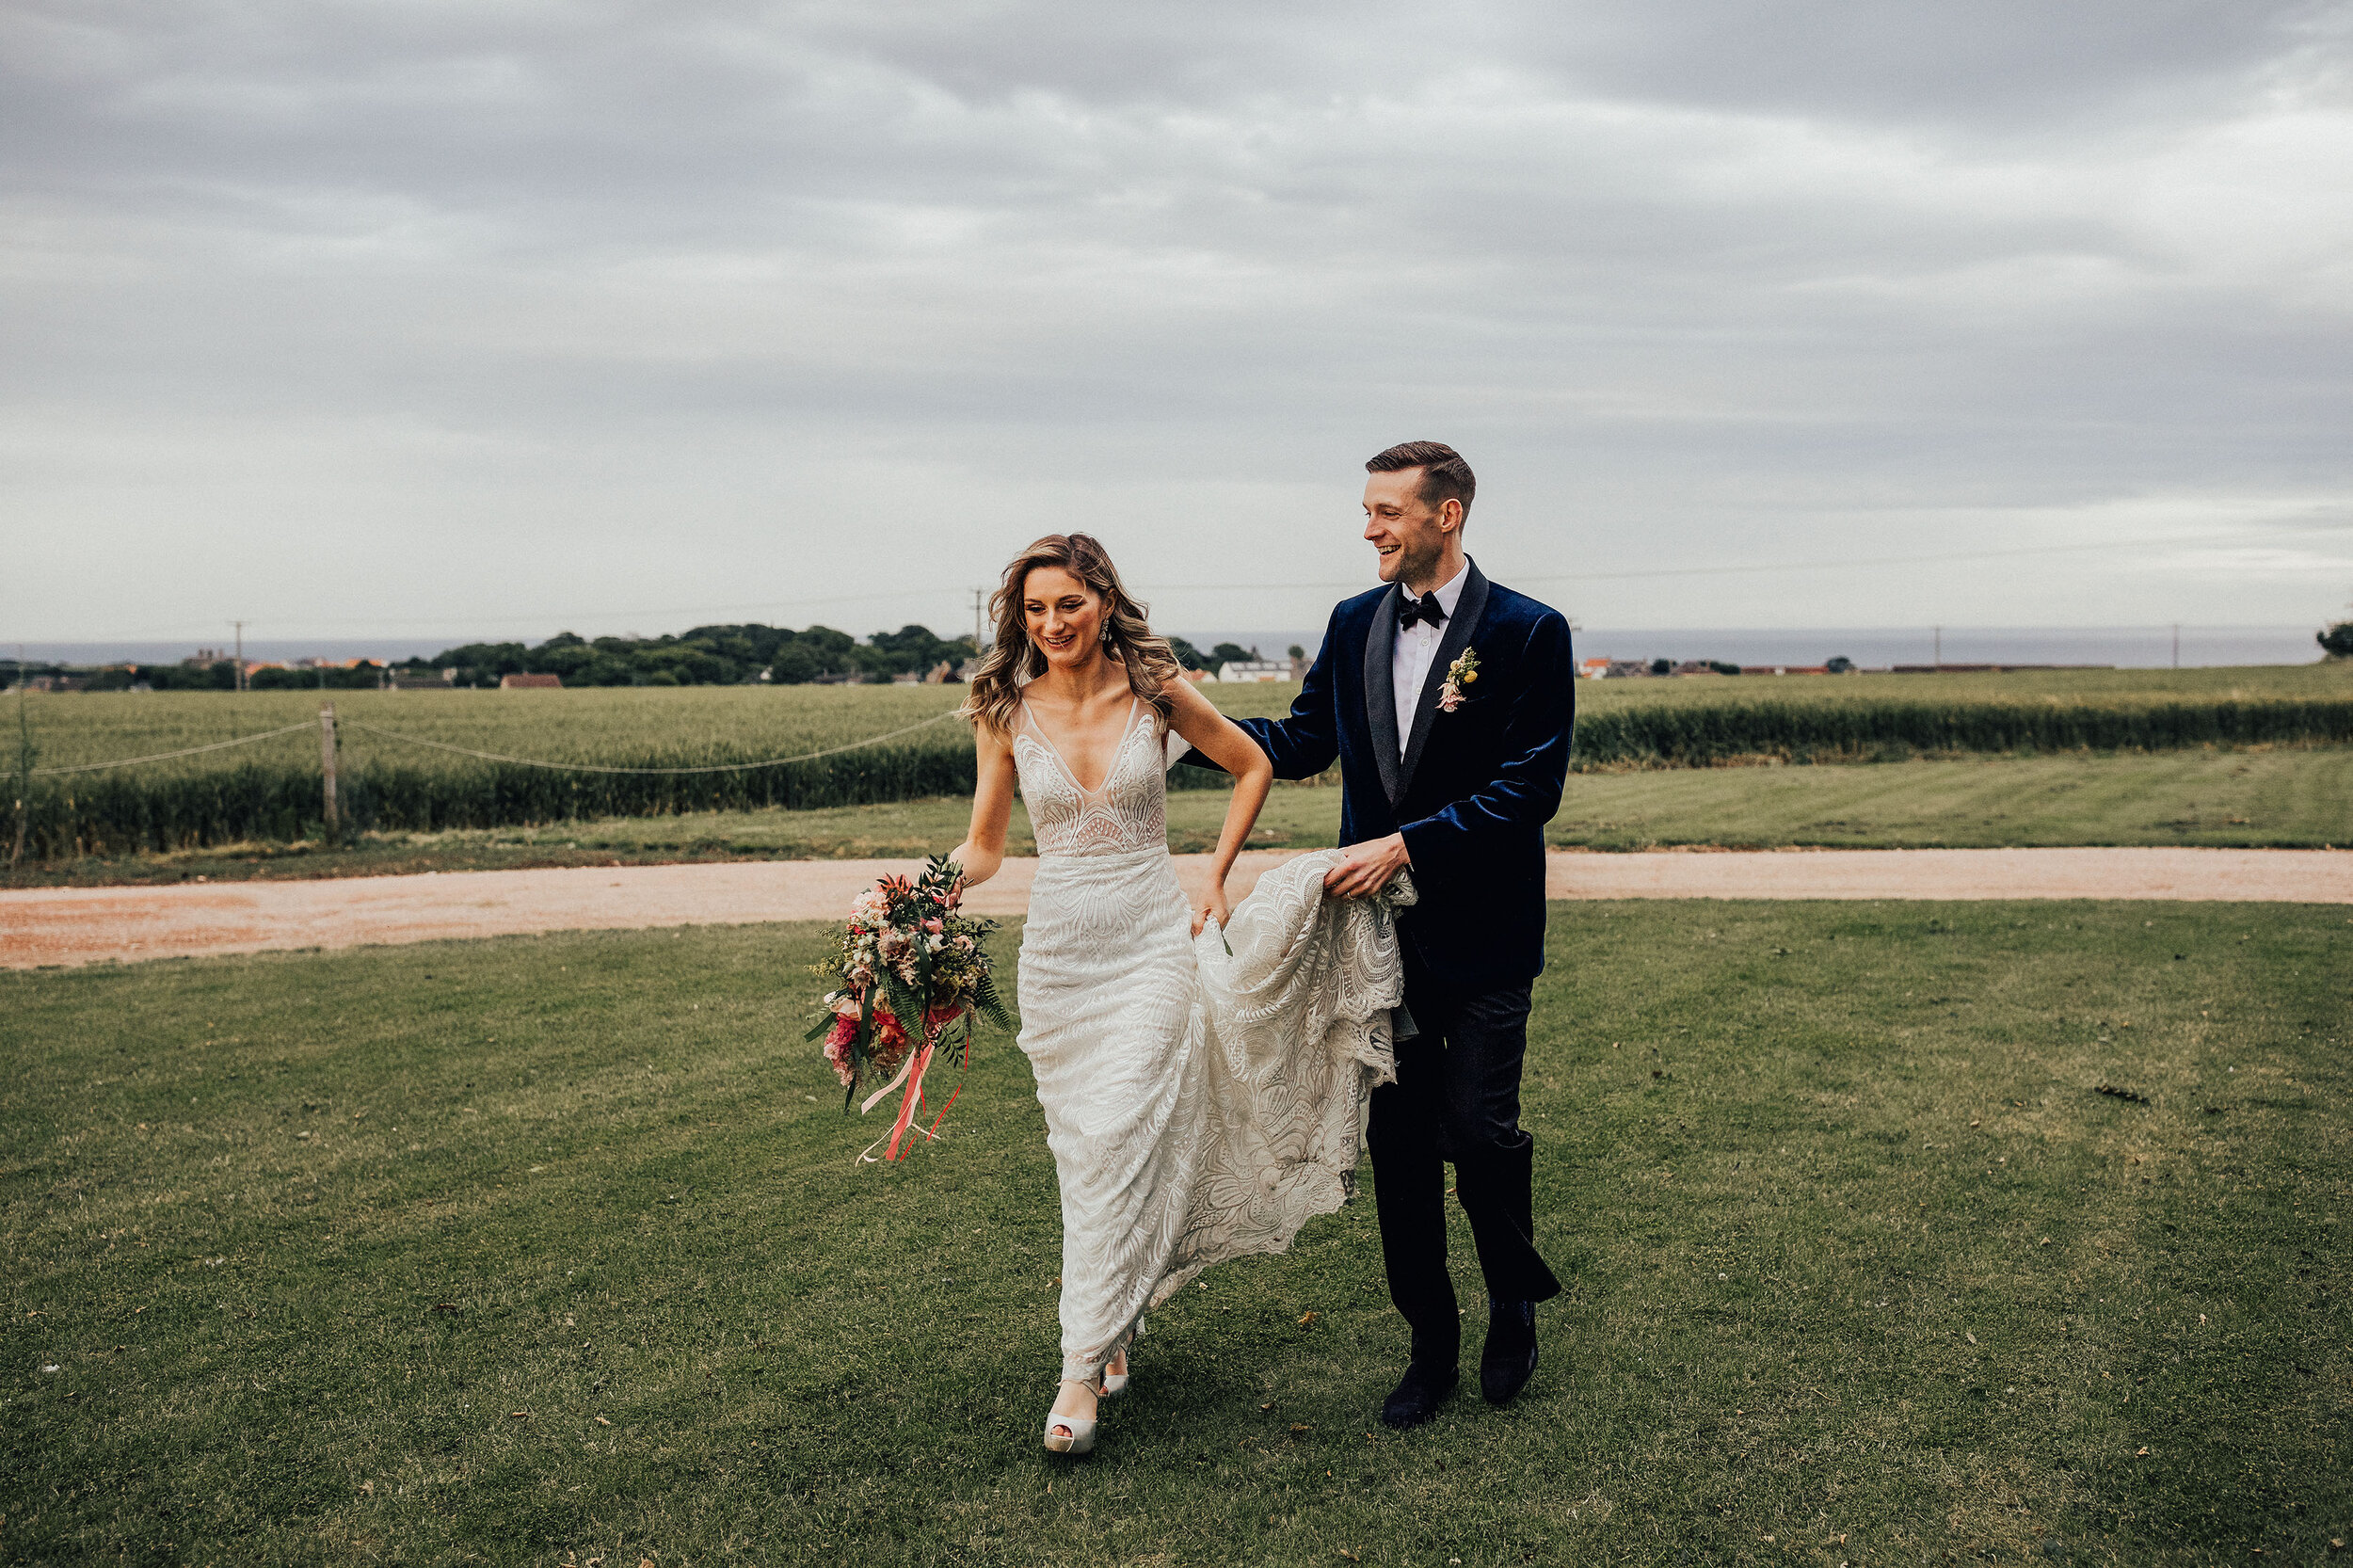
(707, 656)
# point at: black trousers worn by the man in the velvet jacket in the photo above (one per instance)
(1458, 1098)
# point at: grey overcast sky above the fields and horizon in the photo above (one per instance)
(484, 317)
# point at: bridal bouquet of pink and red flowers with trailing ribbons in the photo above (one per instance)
(912, 969)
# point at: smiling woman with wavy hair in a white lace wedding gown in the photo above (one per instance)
(1201, 1068)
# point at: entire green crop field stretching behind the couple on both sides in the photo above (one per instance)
(389, 780)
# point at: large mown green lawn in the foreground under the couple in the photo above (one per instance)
(545, 1251)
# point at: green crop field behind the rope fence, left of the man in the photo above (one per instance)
(272, 790)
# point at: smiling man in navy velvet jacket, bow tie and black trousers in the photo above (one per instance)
(1448, 705)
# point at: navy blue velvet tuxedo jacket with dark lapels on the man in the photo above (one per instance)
(1474, 788)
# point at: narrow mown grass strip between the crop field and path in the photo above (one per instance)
(2255, 799)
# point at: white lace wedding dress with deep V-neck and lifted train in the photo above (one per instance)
(1199, 1103)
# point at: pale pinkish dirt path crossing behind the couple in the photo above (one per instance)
(62, 926)
